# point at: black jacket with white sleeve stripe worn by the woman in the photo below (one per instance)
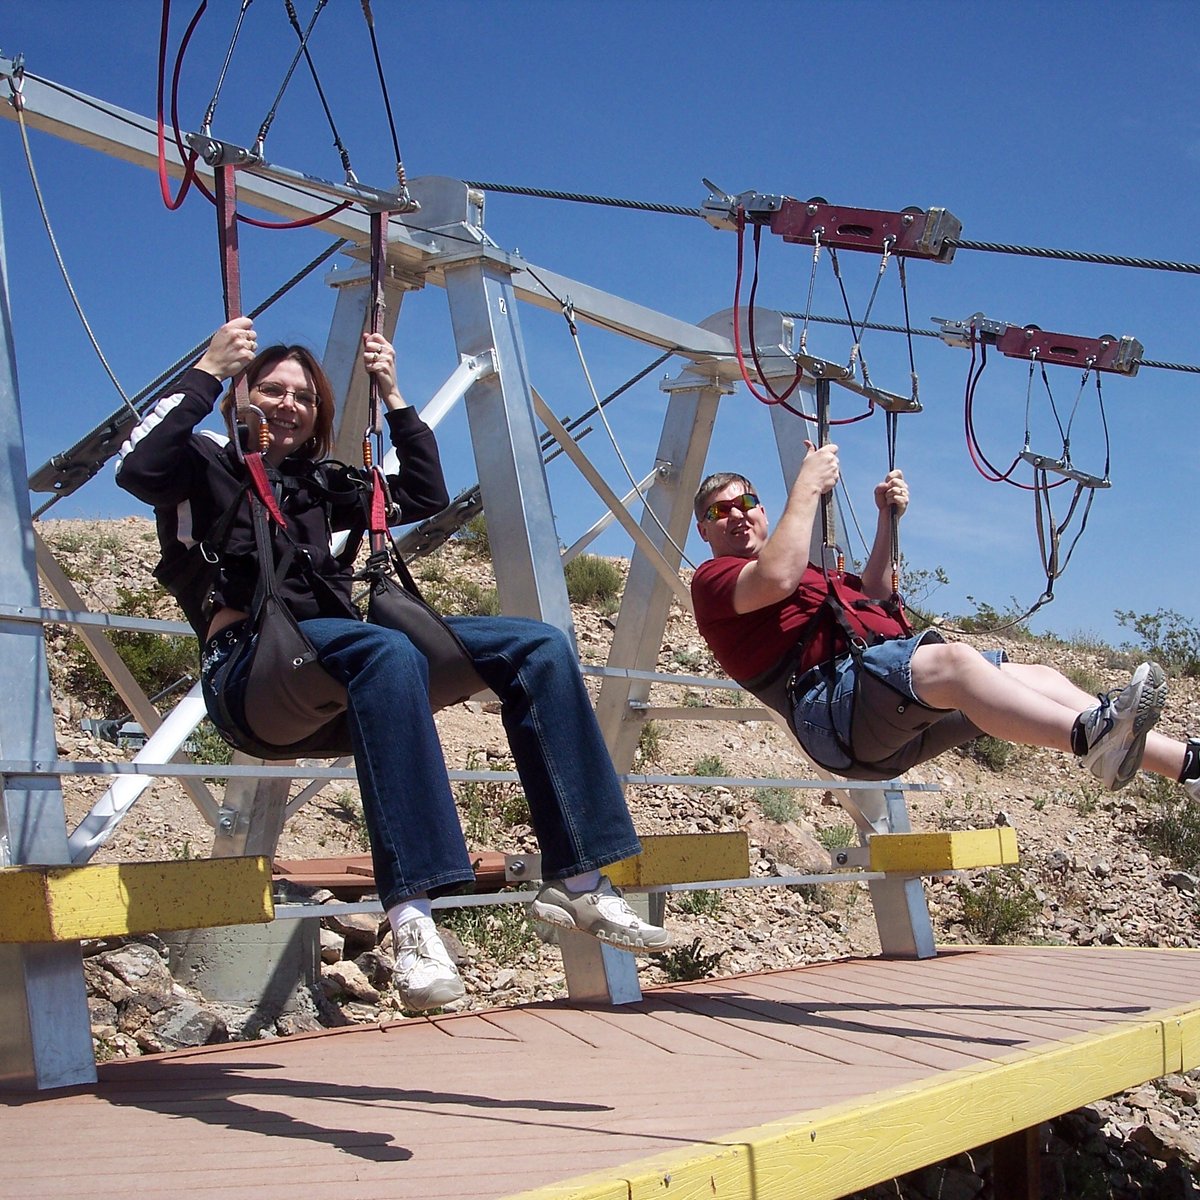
(193, 479)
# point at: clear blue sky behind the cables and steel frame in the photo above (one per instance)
(1070, 127)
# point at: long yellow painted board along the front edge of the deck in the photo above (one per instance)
(842, 1149)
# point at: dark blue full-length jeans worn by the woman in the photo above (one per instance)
(577, 806)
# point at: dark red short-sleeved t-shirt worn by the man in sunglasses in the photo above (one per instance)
(747, 644)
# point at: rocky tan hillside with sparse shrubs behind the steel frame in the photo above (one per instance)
(1096, 868)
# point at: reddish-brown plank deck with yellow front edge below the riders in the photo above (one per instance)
(799, 1084)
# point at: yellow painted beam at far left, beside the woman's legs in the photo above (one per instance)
(65, 904)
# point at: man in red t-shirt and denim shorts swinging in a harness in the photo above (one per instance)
(866, 698)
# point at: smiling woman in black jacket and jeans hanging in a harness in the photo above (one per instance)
(577, 806)
